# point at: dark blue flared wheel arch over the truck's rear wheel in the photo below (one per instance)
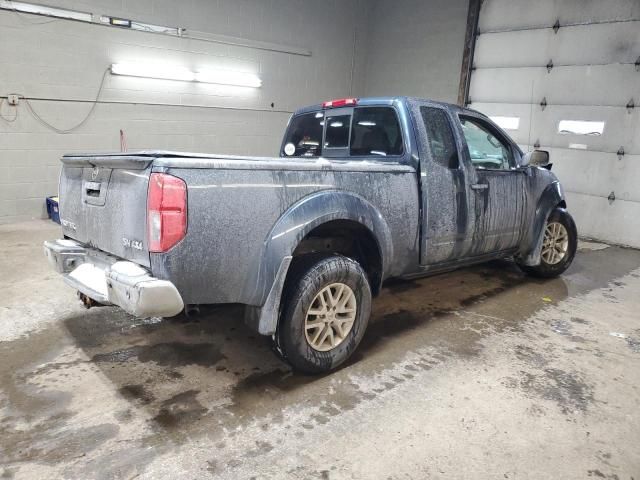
(300, 219)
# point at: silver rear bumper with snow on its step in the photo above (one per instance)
(111, 281)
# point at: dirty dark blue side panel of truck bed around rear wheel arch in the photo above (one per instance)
(232, 213)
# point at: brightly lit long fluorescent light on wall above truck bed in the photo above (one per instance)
(168, 72)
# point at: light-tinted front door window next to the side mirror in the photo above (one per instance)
(485, 149)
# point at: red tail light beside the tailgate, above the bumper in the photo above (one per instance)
(166, 211)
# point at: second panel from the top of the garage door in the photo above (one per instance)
(584, 45)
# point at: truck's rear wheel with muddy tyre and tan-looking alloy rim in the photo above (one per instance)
(325, 313)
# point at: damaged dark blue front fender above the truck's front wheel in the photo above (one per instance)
(531, 246)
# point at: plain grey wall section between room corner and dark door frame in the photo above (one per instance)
(415, 48)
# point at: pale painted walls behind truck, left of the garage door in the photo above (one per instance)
(358, 47)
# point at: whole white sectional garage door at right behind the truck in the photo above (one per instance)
(586, 69)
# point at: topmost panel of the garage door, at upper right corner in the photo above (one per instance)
(510, 14)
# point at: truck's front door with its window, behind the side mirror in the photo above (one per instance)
(498, 189)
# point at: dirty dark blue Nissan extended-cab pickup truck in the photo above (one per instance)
(363, 190)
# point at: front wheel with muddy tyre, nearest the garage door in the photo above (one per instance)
(558, 246)
